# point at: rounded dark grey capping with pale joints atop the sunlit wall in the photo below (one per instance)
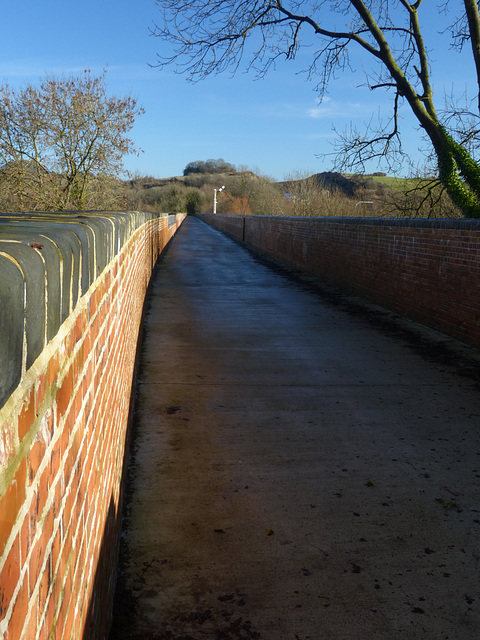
(47, 262)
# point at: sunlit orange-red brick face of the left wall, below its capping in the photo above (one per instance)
(63, 436)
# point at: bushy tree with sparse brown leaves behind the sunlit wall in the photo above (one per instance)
(62, 142)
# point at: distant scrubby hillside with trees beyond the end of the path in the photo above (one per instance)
(321, 194)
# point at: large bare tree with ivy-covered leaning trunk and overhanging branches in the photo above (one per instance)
(211, 37)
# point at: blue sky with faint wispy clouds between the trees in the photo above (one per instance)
(274, 126)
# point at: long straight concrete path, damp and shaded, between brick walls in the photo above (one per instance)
(302, 469)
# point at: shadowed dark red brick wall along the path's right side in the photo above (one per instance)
(425, 270)
